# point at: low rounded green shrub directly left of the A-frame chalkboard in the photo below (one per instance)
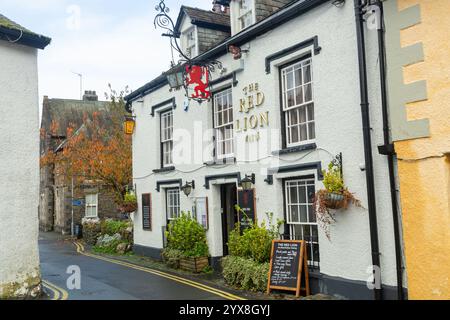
(245, 274)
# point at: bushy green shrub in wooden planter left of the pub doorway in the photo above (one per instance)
(188, 236)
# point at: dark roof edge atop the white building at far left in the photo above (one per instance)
(14, 32)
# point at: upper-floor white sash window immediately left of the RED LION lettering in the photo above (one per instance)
(223, 124)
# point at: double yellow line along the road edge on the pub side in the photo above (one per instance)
(217, 292)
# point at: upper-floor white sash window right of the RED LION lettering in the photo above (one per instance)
(298, 103)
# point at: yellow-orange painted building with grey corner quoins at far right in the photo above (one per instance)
(418, 63)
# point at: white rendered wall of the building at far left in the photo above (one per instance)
(19, 169)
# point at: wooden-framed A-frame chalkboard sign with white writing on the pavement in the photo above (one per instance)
(289, 267)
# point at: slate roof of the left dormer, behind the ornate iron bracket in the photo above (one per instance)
(203, 16)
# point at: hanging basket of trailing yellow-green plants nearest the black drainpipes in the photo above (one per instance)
(335, 196)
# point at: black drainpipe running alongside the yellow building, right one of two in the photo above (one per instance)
(388, 150)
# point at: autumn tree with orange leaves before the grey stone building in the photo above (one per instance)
(98, 151)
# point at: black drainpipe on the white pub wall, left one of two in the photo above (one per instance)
(370, 181)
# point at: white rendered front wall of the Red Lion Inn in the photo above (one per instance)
(338, 129)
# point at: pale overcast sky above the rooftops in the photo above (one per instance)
(106, 41)
